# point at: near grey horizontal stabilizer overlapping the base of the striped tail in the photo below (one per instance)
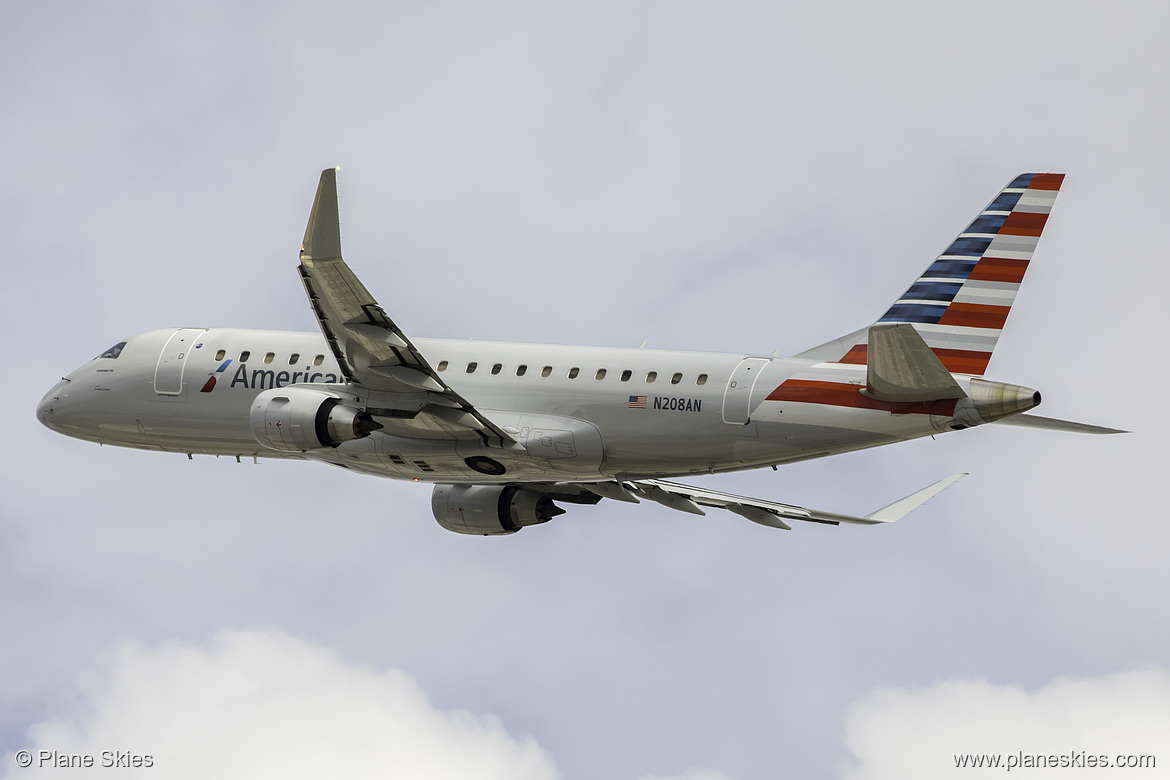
(903, 369)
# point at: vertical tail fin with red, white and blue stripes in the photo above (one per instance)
(961, 302)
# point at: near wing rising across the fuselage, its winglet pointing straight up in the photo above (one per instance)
(371, 350)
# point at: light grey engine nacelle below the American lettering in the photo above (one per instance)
(297, 420)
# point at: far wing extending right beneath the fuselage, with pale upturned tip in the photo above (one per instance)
(690, 499)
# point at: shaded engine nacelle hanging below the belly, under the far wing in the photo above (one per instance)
(490, 510)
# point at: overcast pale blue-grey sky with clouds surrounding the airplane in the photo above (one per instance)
(740, 177)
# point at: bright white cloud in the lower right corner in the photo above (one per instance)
(909, 734)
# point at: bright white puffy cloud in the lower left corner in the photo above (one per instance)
(261, 703)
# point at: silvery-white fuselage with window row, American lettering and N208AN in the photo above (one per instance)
(579, 413)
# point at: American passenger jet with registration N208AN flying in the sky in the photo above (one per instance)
(507, 431)
